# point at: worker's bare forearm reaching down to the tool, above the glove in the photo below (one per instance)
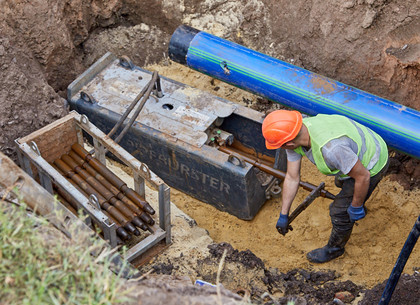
(290, 185)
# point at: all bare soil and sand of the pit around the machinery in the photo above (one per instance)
(370, 44)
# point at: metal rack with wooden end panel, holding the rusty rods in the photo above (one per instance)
(69, 130)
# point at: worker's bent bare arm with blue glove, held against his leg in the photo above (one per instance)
(361, 178)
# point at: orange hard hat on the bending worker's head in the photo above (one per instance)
(281, 126)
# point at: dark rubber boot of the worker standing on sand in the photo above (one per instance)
(332, 250)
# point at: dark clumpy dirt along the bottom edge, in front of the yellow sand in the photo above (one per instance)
(270, 286)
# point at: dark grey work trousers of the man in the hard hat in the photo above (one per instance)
(340, 219)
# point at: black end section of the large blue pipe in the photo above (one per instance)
(180, 42)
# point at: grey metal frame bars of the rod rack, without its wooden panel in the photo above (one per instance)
(29, 155)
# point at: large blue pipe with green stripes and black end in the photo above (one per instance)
(295, 87)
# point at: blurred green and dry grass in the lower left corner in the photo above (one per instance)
(39, 265)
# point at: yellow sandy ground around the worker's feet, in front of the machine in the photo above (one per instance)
(370, 254)
